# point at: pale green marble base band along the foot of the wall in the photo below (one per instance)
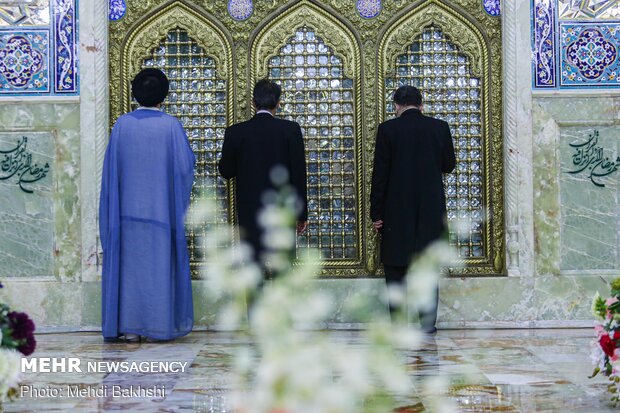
(495, 302)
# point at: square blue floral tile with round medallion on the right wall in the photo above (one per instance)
(590, 54)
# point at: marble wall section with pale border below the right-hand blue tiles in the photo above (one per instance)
(576, 221)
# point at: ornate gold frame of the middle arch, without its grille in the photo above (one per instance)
(267, 42)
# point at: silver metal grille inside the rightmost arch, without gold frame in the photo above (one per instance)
(451, 93)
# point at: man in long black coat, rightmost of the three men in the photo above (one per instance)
(407, 200)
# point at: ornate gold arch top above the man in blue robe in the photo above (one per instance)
(146, 35)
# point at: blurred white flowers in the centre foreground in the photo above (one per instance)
(295, 367)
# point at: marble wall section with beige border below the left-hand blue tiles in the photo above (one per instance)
(44, 121)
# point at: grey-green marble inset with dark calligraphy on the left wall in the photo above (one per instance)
(26, 195)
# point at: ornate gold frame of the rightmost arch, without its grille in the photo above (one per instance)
(471, 41)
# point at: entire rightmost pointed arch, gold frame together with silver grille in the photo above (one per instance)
(444, 53)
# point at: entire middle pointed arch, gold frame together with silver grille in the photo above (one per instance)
(316, 59)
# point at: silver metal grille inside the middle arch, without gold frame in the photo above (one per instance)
(317, 95)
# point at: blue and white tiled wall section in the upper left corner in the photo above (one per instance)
(38, 47)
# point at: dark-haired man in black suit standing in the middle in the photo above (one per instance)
(251, 151)
